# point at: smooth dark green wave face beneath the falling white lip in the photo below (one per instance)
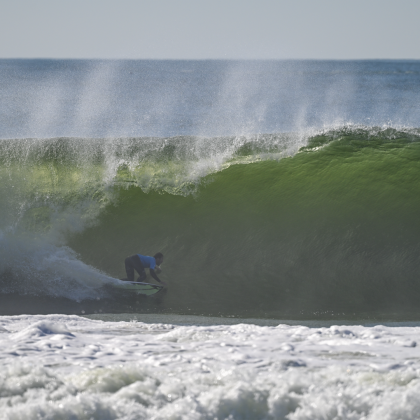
(333, 228)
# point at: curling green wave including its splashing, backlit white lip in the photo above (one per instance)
(333, 228)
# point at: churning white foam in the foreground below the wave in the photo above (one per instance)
(66, 367)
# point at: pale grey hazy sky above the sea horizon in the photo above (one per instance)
(210, 29)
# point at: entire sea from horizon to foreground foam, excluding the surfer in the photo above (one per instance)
(285, 196)
